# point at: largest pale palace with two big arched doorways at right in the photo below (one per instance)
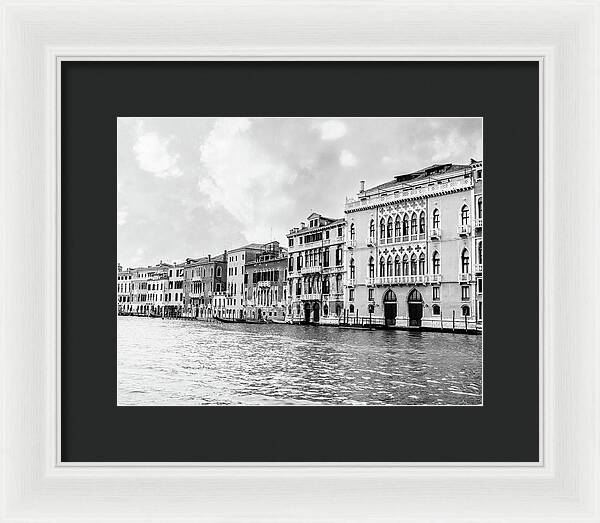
(415, 249)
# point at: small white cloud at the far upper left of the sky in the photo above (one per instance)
(152, 154)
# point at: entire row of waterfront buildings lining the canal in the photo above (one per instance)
(409, 252)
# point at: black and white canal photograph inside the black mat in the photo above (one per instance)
(320, 261)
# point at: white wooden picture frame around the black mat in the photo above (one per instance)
(563, 36)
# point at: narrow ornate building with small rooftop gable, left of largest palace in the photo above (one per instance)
(316, 270)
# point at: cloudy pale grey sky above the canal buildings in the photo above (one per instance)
(187, 187)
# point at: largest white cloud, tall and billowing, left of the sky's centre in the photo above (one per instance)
(242, 177)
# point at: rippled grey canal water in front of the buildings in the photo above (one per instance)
(178, 362)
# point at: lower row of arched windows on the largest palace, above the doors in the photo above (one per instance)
(405, 265)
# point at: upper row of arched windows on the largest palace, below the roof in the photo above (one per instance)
(411, 224)
